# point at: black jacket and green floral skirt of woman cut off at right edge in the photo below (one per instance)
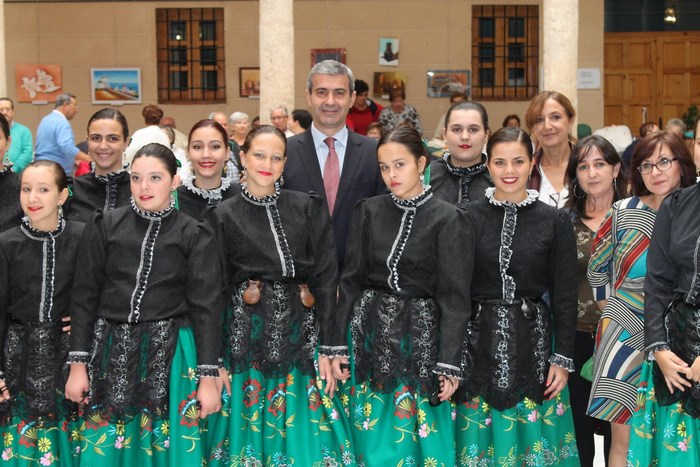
(666, 427)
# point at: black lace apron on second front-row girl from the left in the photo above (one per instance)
(130, 367)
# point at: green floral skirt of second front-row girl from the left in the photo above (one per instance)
(143, 441)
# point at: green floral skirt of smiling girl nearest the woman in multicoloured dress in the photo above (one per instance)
(527, 434)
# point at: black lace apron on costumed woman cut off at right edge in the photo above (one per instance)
(683, 328)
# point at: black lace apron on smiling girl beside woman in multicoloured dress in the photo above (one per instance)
(507, 354)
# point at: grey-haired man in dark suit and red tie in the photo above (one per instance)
(311, 156)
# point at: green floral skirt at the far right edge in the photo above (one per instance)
(661, 435)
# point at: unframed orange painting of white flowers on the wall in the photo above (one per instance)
(37, 82)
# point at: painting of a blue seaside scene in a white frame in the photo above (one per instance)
(115, 86)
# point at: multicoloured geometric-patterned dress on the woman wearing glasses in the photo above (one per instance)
(616, 273)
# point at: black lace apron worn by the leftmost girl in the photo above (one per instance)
(36, 372)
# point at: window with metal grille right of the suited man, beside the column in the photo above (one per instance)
(505, 52)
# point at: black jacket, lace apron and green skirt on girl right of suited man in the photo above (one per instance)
(403, 292)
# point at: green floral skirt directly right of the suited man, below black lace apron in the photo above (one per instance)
(400, 428)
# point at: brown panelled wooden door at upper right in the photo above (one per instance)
(658, 71)
